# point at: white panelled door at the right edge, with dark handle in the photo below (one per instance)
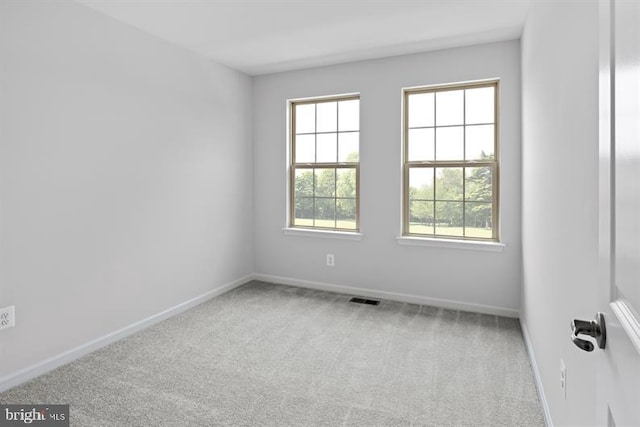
(618, 366)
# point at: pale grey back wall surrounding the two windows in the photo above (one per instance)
(378, 263)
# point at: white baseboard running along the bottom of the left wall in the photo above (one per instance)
(47, 365)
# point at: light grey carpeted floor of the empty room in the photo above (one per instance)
(275, 355)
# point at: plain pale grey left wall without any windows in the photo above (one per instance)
(125, 177)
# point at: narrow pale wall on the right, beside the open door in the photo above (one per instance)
(560, 196)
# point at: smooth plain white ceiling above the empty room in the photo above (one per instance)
(266, 36)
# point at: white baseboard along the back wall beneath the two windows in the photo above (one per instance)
(394, 296)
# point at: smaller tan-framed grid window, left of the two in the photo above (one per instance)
(324, 165)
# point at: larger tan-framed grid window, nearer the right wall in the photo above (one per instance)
(451, 161)
